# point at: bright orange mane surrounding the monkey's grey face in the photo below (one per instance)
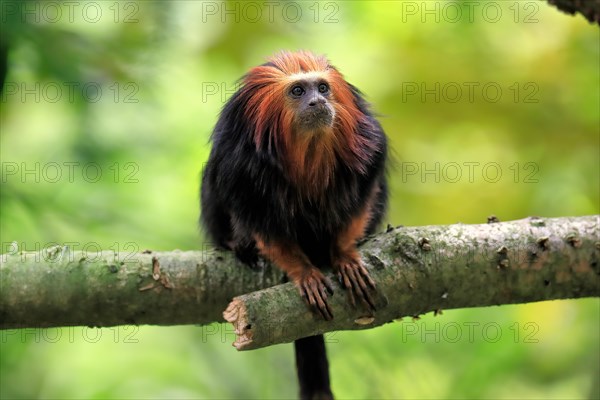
(309, 160)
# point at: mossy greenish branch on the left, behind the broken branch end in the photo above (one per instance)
(57, 287)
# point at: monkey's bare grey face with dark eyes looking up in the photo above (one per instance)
(310, 97)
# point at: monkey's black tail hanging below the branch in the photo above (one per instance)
(313, 368)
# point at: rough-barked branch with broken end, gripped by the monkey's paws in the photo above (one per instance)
(434, 268)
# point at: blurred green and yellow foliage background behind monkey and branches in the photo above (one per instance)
(166, 68)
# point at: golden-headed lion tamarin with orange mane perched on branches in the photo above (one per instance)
(297, 175)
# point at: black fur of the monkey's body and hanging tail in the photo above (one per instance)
(245, 191)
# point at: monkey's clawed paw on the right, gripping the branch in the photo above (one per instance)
(355, 278)
